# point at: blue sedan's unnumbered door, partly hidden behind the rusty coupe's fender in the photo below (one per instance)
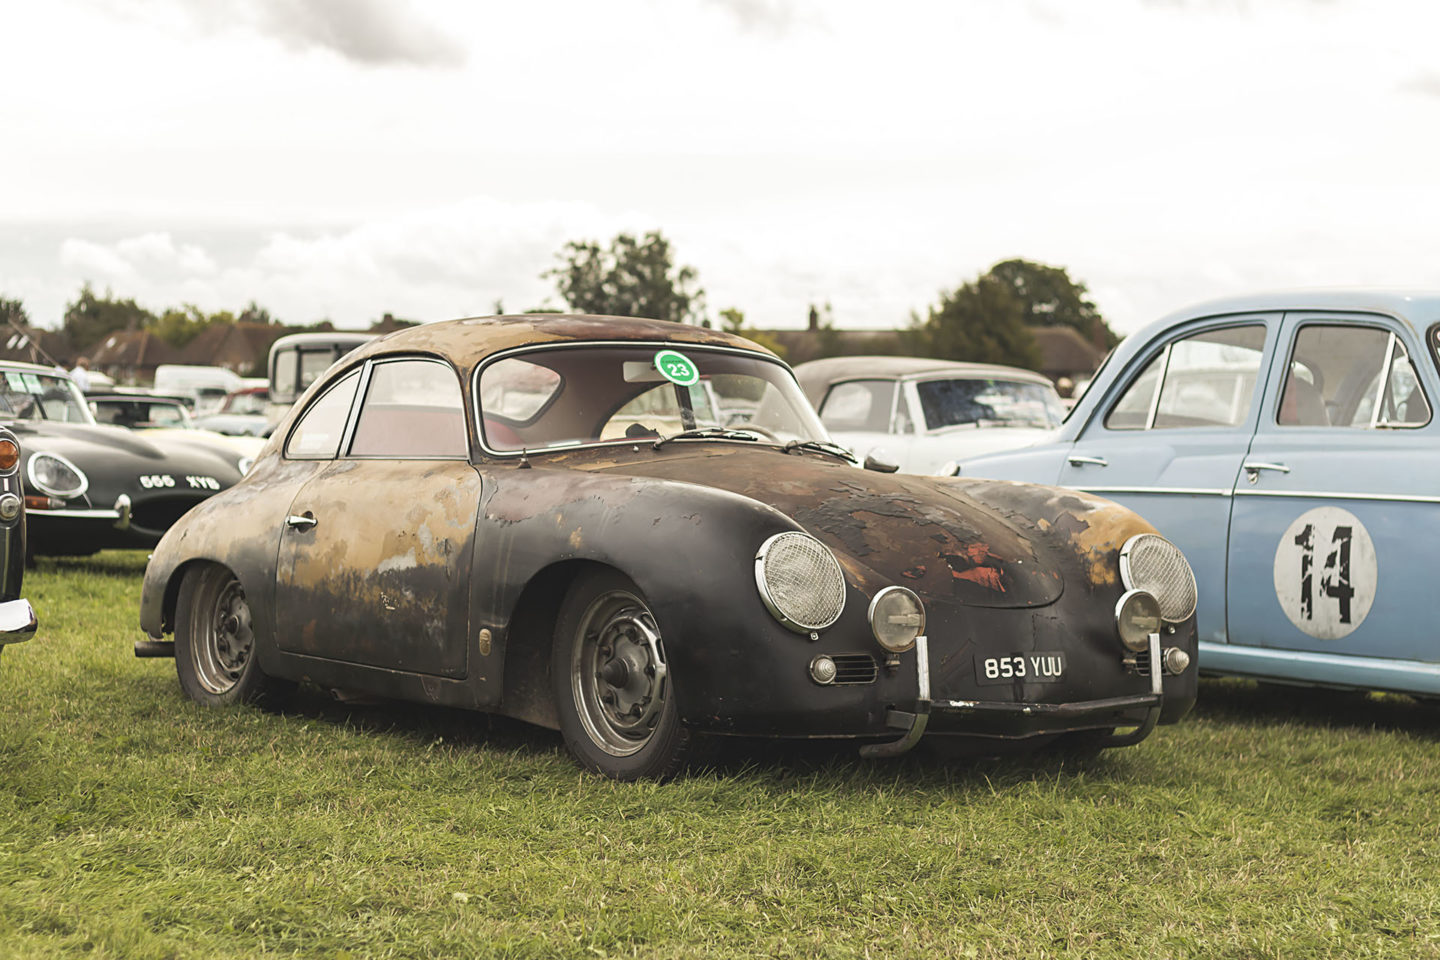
(1171, 441)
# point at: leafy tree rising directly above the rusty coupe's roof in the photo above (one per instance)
(630, 279)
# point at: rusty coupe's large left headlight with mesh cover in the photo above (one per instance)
(800, 582)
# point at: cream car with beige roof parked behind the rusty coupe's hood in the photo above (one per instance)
(925, 414)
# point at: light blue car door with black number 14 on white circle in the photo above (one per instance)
(1338, 512)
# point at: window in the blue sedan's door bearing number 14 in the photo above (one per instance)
(1354, 378)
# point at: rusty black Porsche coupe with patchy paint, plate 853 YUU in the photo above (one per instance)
(639, 532)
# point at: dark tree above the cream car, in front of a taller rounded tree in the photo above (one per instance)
(983, 322)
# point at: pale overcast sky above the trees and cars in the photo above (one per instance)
(341, 159)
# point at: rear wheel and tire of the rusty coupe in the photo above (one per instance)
(215, 644)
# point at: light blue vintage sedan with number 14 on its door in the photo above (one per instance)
(1288, 444)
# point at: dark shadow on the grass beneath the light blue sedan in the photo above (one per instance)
(1245, 702)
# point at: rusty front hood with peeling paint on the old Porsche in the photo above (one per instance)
(883, 527)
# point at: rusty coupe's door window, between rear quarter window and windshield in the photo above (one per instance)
(413, 409)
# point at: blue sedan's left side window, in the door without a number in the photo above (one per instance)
(1203, 381)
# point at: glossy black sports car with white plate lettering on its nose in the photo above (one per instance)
(93, 486)
